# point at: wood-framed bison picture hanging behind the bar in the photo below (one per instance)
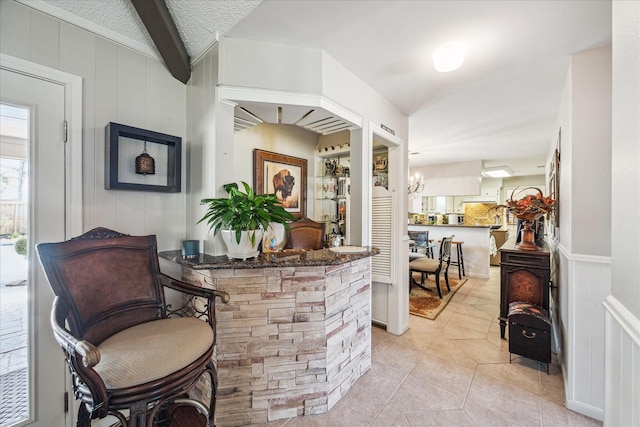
(284, 176)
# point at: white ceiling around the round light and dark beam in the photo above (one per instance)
(500, 106)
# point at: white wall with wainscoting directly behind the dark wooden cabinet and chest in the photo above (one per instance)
(584, 245)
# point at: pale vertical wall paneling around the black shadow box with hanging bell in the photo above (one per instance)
(119, 85)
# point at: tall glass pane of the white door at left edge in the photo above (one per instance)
(14, 308)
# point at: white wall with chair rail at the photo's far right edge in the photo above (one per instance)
(622, 346)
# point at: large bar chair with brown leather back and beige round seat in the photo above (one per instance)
(130, 354)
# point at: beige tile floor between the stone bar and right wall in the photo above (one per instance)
(453, 371)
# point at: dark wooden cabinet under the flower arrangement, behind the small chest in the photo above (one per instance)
(525, 277)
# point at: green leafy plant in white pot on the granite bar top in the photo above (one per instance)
(243, 217)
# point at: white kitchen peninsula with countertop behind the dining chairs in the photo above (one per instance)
(475, 248)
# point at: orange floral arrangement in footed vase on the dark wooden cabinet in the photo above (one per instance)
(528, 209)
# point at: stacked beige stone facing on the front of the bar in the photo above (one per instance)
(292, 341)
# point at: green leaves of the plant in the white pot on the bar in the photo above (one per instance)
(244, 211)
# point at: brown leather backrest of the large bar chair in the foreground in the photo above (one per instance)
(109, 280)
